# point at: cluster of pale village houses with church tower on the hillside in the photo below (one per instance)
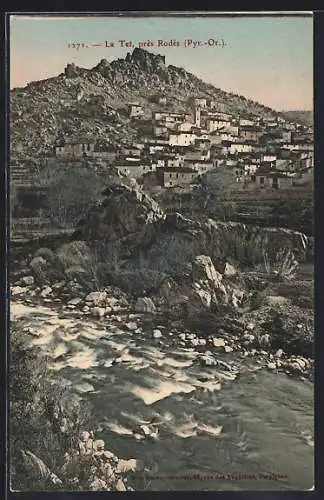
(177, 148)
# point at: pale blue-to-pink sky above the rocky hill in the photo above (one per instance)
(268, 59)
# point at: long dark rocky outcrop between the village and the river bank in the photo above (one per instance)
(171, 241)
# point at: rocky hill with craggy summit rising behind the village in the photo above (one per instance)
(92, 101)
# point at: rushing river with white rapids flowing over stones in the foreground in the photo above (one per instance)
(241, 421)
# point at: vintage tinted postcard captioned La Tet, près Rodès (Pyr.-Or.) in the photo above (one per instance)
(161, 252)
